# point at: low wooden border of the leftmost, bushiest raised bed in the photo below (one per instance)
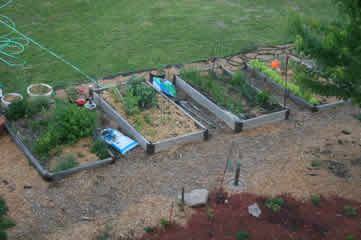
(46, 175)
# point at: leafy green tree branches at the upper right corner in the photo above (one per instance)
(335, 49)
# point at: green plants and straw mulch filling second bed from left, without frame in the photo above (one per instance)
(148, 111)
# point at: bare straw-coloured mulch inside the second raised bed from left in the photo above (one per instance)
(166, 119)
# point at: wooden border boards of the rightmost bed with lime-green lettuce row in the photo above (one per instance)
(296, 99)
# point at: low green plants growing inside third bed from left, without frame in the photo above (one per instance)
(234, 94)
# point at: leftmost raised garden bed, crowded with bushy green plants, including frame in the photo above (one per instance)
(58, 139)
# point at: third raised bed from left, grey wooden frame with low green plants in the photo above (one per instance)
(230, 98)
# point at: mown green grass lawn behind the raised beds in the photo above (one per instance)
(106, 37)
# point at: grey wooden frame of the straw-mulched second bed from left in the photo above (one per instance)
(148, 146)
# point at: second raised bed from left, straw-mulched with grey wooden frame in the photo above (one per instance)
(156, 125)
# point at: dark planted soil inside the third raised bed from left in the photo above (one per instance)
(217, 87)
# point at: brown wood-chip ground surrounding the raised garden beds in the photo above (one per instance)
(139, 189)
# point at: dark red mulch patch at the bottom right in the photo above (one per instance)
(302, 221)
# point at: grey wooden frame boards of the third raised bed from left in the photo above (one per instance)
(232, 121)
